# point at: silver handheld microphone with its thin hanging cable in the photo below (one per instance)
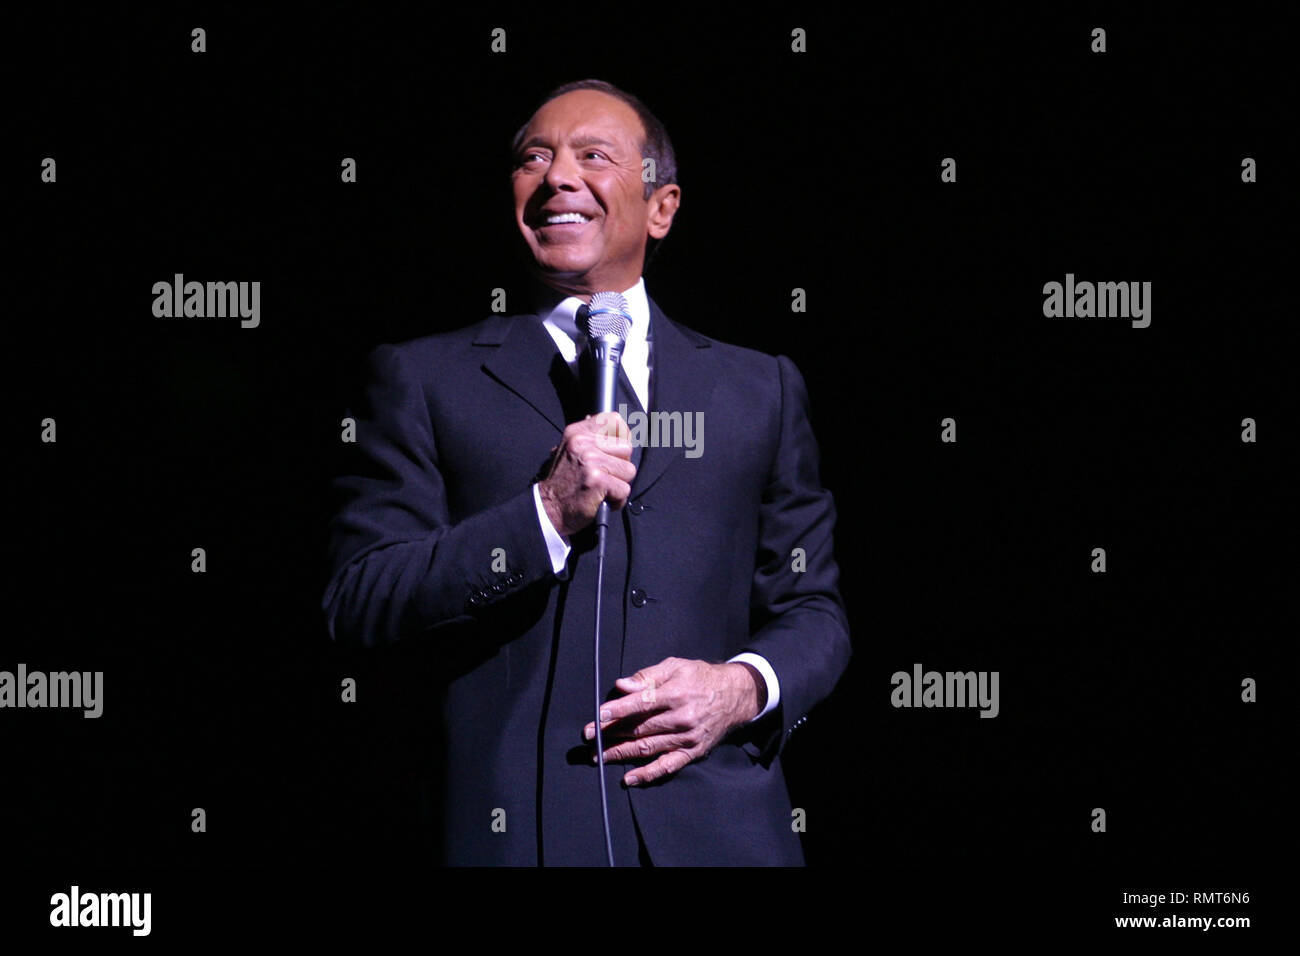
(605, 323)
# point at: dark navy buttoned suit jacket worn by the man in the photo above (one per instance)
(452, 432)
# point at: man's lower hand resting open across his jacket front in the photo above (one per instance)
(679, 710)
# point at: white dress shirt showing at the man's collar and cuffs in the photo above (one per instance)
(560, 318)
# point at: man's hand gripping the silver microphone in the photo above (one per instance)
(592, 464)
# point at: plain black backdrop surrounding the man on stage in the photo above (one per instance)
(816, 171)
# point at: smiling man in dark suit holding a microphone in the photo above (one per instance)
(469, 524)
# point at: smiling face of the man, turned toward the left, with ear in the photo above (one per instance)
(580, 158)
